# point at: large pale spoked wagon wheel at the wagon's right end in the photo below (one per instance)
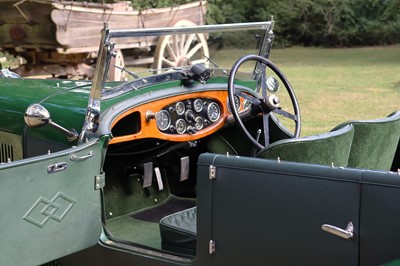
(181, 49)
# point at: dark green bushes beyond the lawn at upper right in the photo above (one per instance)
(330, 23)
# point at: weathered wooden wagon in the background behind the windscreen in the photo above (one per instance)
(61, 38)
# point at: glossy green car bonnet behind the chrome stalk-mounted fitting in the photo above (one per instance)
(65, 100)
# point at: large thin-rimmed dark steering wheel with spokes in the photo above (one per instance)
(264, 63)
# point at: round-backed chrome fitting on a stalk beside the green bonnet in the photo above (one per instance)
(37, 116)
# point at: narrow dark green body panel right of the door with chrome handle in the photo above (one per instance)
(380, 218)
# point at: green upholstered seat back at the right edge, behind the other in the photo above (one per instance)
(375, 142)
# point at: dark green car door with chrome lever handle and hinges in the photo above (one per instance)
(262, 212)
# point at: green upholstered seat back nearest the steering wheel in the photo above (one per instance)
(327, 149)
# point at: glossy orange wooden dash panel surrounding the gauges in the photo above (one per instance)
(149, 129)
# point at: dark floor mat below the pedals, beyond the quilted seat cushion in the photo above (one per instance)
(172, 205)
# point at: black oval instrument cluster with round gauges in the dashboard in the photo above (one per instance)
(188, 116)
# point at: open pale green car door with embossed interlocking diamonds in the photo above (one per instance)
(50, 205)
